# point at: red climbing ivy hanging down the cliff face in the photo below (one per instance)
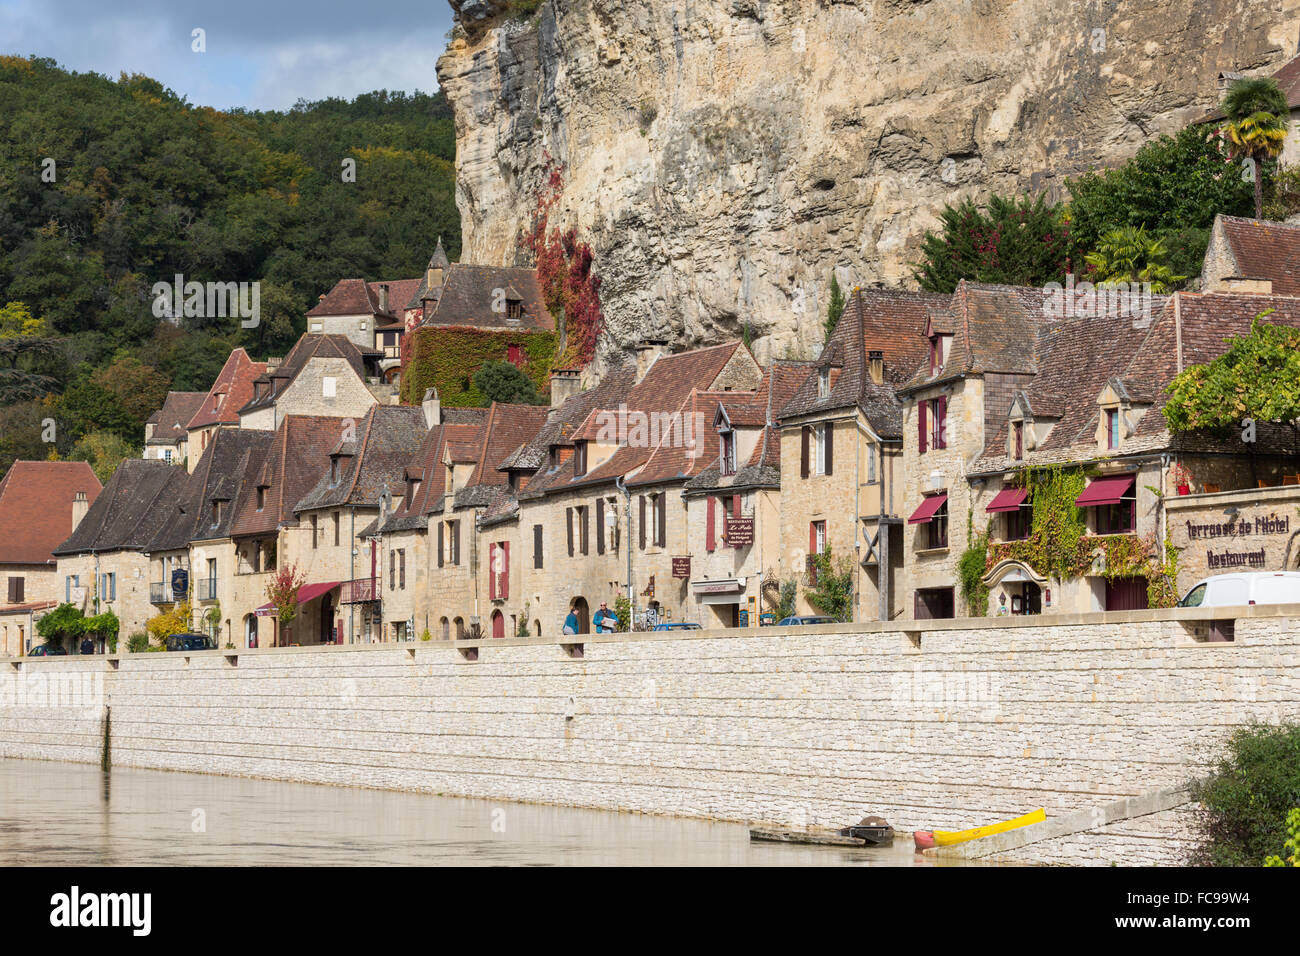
(570, 285)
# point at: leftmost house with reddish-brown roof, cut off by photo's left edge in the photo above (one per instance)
(41, 505)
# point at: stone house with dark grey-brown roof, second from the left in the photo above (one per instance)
(103, 565)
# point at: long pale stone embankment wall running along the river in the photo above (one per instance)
(954, 726)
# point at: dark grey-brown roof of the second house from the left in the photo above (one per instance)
(131, 511)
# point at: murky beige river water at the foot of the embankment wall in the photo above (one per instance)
(73, 815)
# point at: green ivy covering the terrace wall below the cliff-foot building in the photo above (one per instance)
(447, 360)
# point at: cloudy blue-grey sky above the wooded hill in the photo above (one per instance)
(263, 55)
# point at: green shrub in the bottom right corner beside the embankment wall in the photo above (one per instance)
(1246, 799)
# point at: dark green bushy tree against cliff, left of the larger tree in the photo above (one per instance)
(1019, 241)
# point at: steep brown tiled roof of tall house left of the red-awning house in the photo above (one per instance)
(887, 321)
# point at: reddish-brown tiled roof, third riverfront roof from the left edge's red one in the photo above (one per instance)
(292, 468)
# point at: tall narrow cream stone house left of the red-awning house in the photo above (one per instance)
(842, 451)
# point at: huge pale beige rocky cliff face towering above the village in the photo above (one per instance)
(723, 157)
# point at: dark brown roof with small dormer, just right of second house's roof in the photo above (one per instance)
(229, 460)
